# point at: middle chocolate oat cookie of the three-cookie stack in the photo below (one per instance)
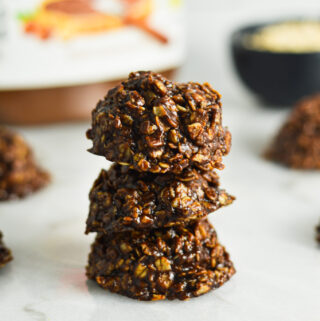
(124, 199)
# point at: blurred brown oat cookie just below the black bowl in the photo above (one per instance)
(297, 145)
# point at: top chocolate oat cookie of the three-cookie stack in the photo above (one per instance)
(152, 124)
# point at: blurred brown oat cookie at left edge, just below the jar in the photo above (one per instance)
(19, 174)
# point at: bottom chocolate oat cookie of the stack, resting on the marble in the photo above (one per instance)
(167, 263)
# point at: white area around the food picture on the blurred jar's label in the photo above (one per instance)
(29, 63)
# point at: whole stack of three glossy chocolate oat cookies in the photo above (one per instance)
(150, 208)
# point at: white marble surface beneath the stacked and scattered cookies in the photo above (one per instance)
(269, 230)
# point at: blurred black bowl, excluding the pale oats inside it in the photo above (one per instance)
(276, 78)
